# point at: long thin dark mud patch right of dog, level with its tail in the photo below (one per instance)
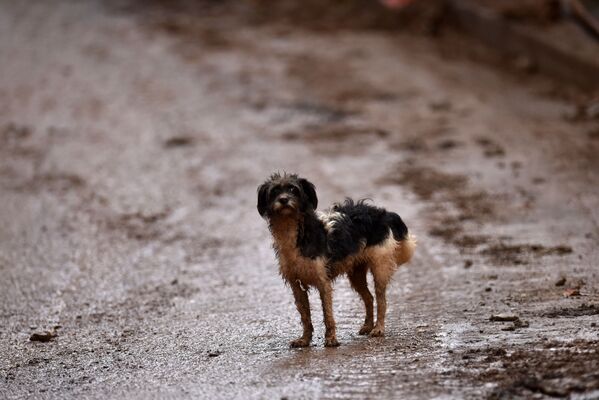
(516, 254)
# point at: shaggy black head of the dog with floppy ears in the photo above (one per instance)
(286, 194)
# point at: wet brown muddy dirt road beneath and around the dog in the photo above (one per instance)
(131, 146)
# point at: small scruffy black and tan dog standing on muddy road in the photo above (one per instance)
(313, 248)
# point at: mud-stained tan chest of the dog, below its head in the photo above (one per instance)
(294, 266)
